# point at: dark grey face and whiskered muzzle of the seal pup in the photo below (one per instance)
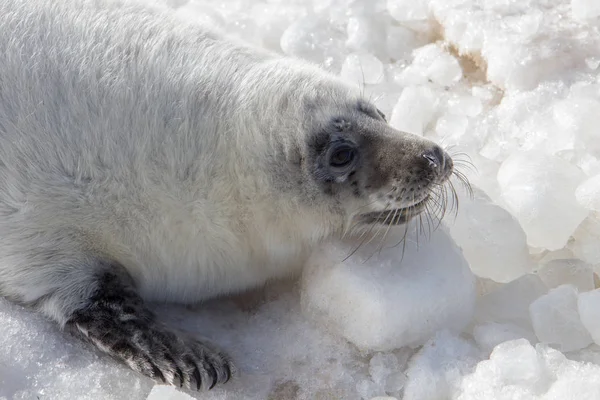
(376, 174)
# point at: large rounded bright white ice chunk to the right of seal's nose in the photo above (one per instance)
(534, 186)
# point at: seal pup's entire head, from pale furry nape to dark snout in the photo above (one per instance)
(345, 167)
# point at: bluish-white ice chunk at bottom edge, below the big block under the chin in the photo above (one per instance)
(437, 369)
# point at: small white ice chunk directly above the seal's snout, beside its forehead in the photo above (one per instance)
(414, 109)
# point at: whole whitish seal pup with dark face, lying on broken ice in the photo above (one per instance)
(143, 158)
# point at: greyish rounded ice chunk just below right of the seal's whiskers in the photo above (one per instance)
(492, 240)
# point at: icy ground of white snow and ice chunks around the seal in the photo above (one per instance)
(515, 84)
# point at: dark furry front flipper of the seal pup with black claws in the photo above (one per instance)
(117, 321)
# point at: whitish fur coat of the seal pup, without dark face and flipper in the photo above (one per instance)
(114, 144)
